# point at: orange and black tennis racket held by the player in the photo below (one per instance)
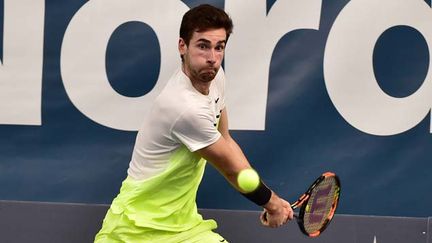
(317, 205)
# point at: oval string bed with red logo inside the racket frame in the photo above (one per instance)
(321, 205)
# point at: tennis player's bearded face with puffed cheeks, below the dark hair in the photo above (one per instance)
(204, 54)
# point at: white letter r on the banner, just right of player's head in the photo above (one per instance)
(250, 48)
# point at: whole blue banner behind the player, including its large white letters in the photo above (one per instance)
(312, 85)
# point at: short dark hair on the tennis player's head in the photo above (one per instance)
(202, 18)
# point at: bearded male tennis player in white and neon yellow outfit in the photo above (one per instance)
(186, 126)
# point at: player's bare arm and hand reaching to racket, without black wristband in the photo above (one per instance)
(228, 158)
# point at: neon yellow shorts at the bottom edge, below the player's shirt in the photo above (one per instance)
(119, 228)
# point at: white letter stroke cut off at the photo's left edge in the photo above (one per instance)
(21, 69)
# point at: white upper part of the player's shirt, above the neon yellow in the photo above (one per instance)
(181, 115)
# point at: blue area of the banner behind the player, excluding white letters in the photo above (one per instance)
(70, 158)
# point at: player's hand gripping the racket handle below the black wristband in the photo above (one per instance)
(276, 212)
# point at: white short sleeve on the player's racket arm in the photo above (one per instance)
(195, 129)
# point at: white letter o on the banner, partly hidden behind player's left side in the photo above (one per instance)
(83, 57)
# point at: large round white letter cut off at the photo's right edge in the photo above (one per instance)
(348, 67)
